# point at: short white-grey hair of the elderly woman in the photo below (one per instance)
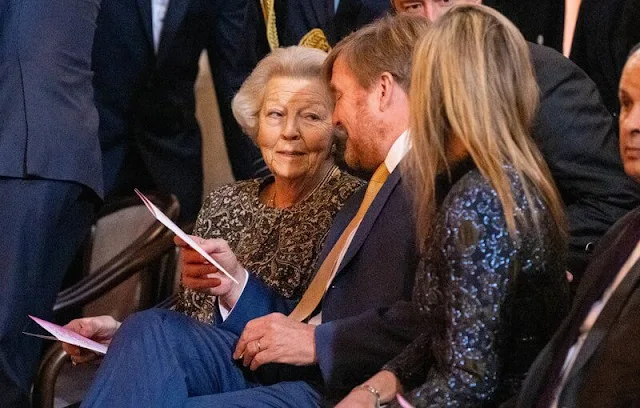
(293, 62)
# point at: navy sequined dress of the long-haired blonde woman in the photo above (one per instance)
(490, 301)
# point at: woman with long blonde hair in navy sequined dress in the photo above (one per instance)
(491, 283)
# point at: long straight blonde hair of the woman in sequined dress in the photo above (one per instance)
(473, 82)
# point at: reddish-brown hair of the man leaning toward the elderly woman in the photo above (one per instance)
(385, 45)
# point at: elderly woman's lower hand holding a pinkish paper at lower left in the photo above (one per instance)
(100, 329)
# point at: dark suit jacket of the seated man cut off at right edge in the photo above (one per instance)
(607, 369)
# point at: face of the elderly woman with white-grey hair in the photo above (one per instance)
(294, 127)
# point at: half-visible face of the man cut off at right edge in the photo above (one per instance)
(630, 117)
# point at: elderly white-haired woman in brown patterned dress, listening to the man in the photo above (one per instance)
(275, 225)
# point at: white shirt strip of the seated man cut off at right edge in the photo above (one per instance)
(590, 320)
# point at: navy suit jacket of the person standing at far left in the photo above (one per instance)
(49, 124)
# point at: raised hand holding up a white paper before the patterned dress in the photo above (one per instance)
(200, 275)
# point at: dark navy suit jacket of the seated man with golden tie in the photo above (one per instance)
(367, 318)
